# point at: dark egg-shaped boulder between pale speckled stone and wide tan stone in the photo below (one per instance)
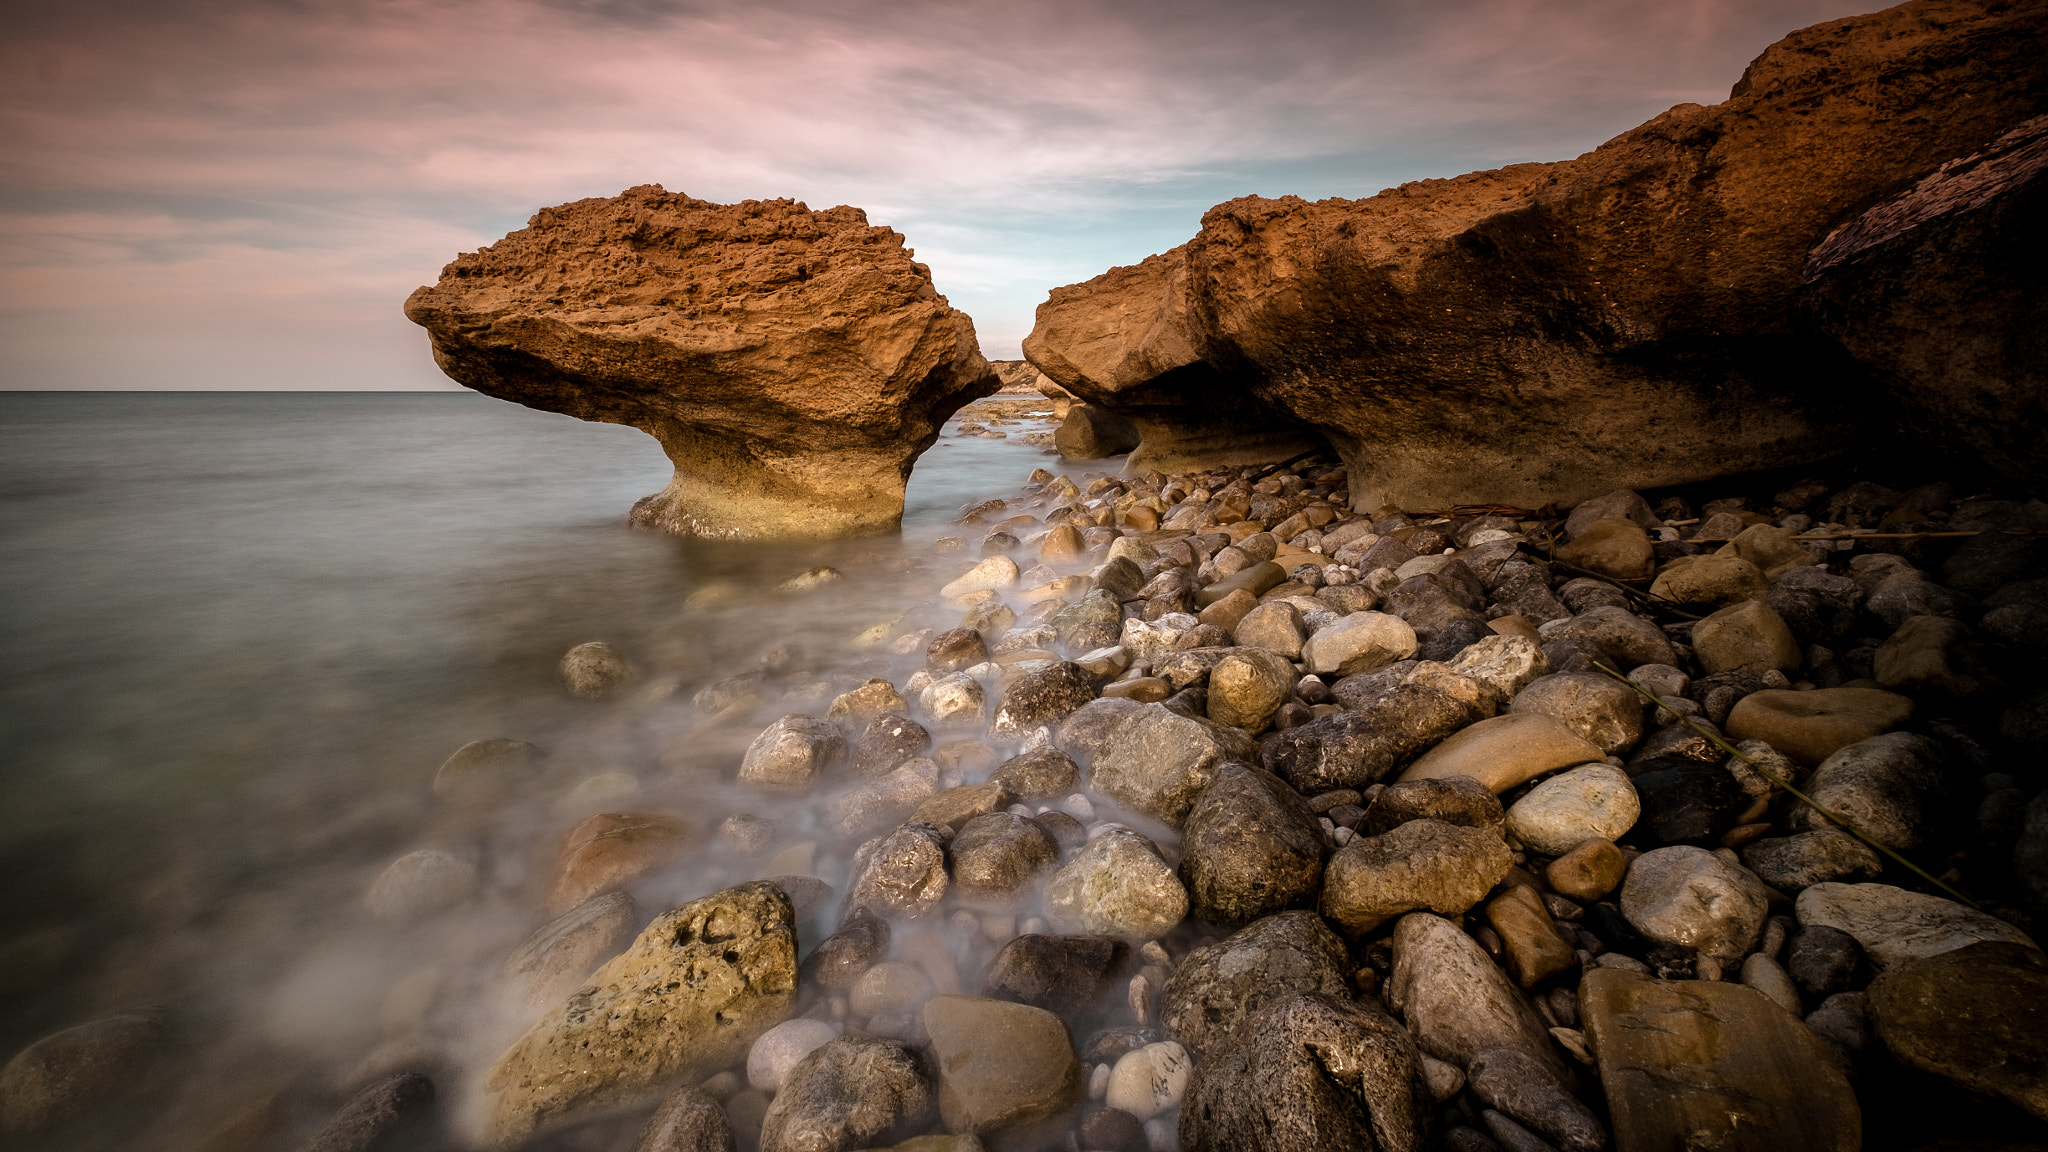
(1250, 848)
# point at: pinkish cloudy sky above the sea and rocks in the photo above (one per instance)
(241, 196)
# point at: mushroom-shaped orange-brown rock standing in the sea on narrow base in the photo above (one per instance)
(794, 364)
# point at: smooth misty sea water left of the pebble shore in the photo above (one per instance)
(241, 632)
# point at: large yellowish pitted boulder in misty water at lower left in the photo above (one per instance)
(693, 993)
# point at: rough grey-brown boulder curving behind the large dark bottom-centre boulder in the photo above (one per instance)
(1222, 985)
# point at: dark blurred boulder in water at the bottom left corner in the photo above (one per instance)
(77, 1071)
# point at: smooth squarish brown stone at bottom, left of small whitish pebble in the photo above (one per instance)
(1000, 1065)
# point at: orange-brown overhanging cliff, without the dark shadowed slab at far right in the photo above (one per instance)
(1555, 331)
